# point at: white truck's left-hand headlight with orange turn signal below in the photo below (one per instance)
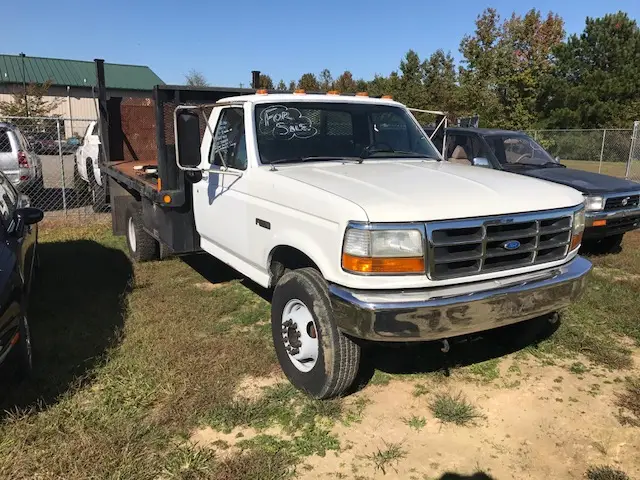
(383, 251)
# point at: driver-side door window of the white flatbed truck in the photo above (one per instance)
(229, 140)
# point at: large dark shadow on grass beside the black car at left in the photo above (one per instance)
(76, 311)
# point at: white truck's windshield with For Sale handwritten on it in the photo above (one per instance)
(323, 131)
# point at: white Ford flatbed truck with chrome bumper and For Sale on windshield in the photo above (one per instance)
(344, 208)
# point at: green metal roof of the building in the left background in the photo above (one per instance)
(74, 73)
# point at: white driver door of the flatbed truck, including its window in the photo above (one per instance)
(220, 198)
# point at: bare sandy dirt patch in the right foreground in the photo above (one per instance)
(555, 424)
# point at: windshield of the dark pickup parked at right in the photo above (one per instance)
(519, 150)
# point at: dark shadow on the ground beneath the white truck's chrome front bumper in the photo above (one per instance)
(427, 357)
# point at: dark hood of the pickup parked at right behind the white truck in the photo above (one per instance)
(587, 182)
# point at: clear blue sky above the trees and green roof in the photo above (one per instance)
(225, 40)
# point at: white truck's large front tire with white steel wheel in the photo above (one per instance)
(314, 355)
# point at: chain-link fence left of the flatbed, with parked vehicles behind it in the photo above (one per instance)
(38, 155)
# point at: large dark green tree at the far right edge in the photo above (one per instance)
(596, 80)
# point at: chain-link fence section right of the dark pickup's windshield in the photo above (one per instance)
(597, 150)
